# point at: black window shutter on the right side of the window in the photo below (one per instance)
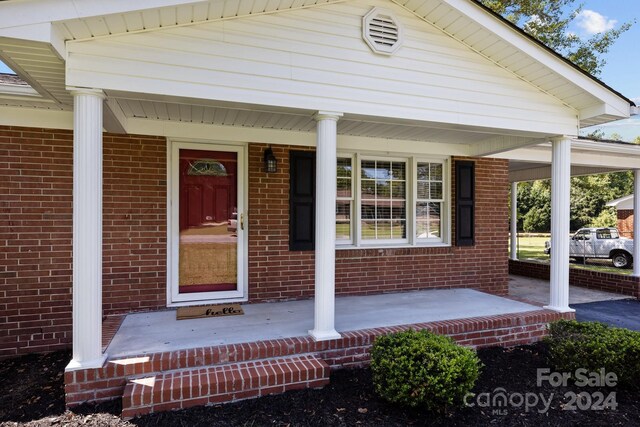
(465, 201)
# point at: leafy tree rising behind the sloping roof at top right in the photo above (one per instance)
(549, 21)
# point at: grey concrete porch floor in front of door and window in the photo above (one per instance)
(159, 331)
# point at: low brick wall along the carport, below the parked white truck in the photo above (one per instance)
(590, 279)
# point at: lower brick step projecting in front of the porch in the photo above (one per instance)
(224, 383)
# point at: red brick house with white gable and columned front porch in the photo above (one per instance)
(169, 153)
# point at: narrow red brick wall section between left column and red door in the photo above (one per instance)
(134, 223)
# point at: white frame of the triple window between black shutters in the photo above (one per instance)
(411, 174)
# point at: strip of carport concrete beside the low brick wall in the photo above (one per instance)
(537, 290)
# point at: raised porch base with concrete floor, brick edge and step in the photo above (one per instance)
(158, 363)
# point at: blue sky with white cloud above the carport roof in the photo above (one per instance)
(622, 71)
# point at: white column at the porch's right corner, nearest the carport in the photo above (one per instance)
(560, 211)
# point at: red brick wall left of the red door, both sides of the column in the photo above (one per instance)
(36, 232)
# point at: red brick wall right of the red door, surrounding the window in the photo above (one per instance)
(276, 273)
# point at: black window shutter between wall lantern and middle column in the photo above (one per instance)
(302, 192)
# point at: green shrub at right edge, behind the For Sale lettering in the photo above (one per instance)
(594, 345)
